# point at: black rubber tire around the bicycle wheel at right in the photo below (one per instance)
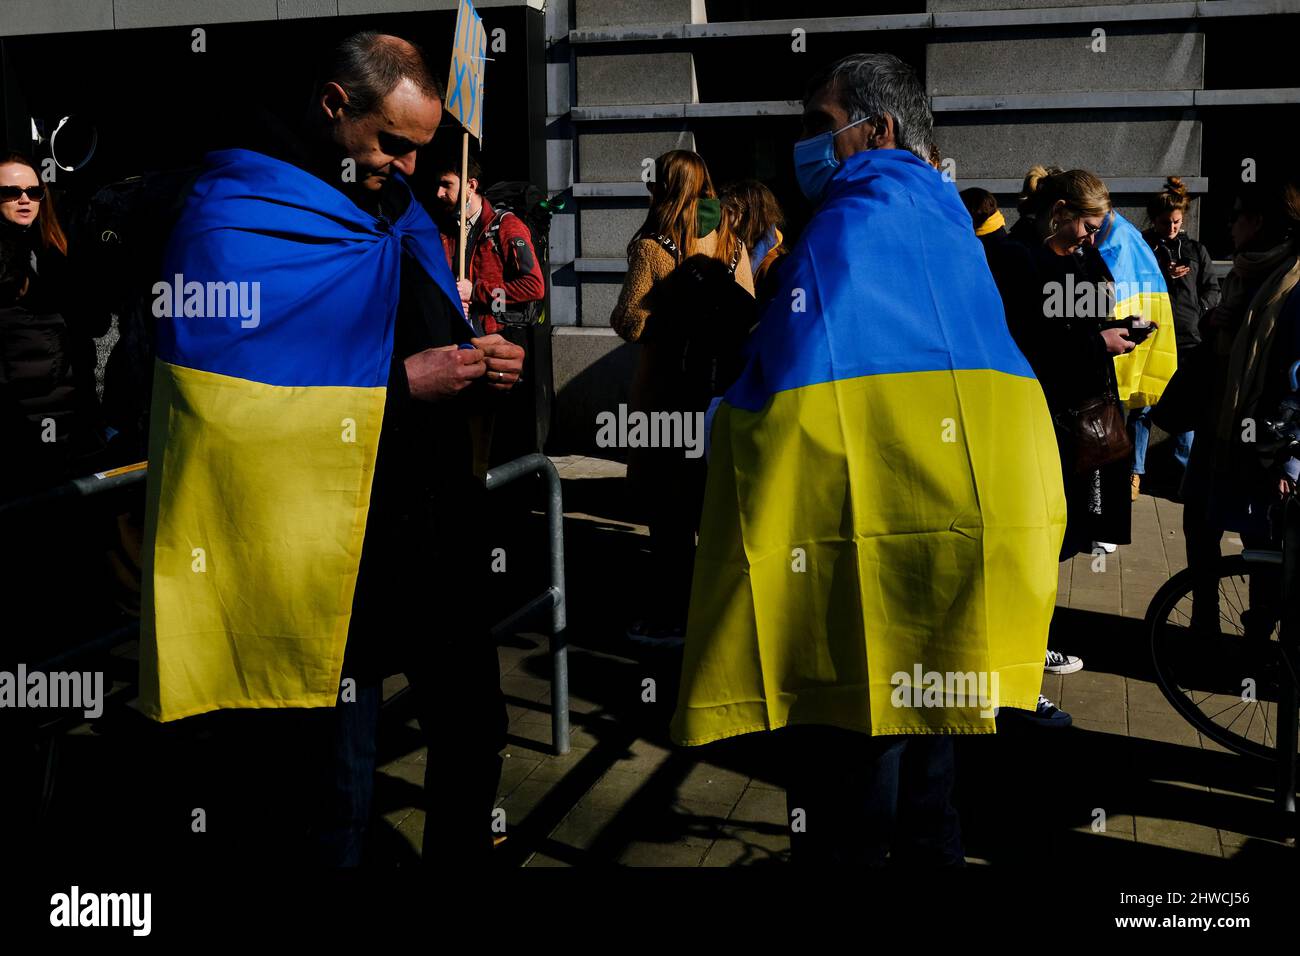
(1169, 596)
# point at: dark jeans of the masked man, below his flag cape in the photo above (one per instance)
(865, 798)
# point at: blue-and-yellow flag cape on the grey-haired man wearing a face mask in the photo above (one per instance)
(885, 507)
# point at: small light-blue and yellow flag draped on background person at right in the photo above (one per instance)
(1141, 291)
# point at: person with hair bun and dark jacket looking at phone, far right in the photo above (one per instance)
(1193, 292)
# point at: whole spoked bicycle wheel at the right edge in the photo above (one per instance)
(1217, 659)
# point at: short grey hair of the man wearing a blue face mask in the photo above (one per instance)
(878, 84)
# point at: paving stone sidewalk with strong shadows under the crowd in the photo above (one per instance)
(626, 795)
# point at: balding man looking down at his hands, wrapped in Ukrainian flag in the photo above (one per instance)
(320, 457)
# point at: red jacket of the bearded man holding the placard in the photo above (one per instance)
(509, 263)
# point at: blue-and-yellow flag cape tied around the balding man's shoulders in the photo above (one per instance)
(265, 434)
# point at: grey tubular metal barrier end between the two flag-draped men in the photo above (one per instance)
(551, 599)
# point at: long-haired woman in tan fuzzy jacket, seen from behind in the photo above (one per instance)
(683, 262)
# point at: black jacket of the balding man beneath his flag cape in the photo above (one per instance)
(421, 560)
